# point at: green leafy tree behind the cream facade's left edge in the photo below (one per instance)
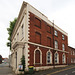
(10, 31)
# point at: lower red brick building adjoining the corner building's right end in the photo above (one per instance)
(71, 55)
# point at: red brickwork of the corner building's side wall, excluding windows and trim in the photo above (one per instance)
(42, 29)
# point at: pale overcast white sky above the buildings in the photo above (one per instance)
(61, 11)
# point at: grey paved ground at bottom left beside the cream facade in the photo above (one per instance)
(5, 70)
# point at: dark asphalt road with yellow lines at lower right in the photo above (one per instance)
(66, 71)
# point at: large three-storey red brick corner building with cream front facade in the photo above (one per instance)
(33, 36)
